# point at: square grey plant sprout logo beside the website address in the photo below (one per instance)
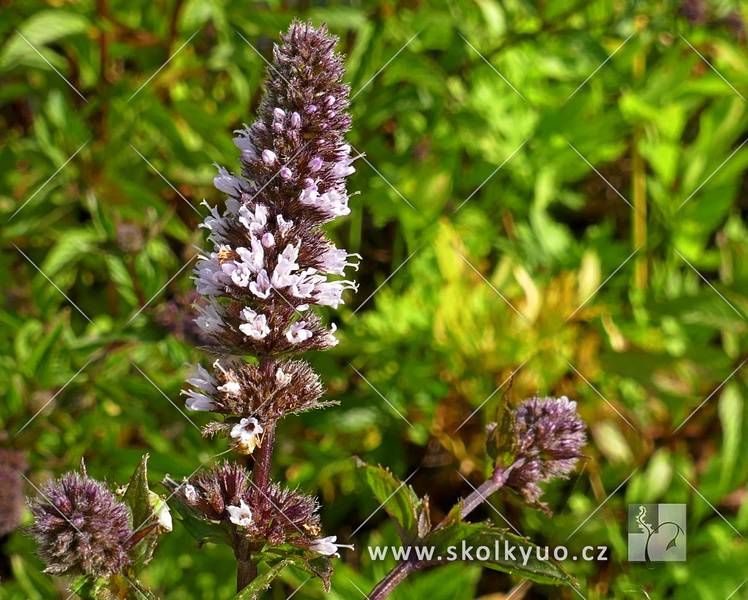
(657, 533)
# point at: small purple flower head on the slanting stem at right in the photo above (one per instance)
(550, 436)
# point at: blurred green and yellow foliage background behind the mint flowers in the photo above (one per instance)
(551, 189)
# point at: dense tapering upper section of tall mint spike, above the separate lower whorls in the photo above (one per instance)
(271, 260)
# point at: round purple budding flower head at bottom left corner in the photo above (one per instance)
(81, 527)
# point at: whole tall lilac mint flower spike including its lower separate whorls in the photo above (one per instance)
(270, 265)
